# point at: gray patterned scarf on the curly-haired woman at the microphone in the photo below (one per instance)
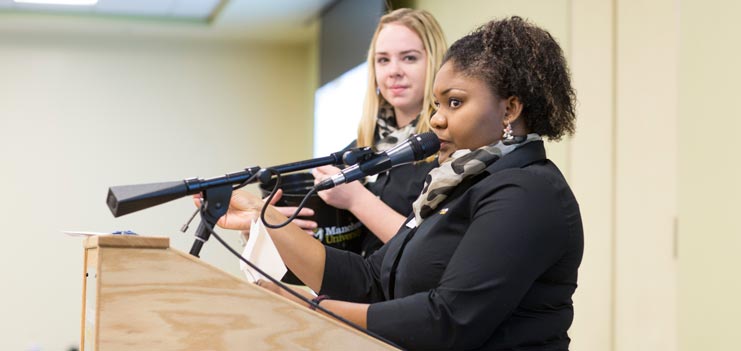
(462, 164)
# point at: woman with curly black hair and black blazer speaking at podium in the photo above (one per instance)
(489, 258)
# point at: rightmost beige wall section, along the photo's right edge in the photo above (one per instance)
(709, 229)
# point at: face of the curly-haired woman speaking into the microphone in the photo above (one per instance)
(468, 114)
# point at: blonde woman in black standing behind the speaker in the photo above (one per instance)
(404, 55)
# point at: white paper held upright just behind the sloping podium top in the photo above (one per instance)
(261, 251)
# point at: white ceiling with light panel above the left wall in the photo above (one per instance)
(268, 20)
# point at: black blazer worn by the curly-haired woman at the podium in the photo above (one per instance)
(494, 268)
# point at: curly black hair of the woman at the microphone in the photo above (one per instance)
(517, 58)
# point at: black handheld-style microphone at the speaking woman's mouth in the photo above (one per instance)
(417, 147)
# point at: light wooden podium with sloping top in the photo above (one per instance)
(139, 294)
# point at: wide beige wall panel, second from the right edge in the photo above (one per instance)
(646, 175)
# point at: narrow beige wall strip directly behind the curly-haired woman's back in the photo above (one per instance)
(592, 159)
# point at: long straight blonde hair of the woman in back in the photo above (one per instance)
(426, 27)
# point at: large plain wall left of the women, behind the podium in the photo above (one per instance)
(81, 113)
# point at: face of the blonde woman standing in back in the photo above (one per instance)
(400, 64)
